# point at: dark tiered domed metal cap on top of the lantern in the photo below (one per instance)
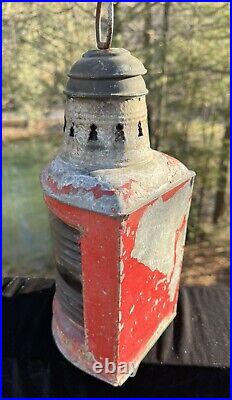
(106, 73)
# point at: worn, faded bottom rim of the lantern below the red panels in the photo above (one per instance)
(70, 340)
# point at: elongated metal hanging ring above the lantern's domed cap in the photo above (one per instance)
(110, 26)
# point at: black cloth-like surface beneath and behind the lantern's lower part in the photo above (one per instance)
(191, 359)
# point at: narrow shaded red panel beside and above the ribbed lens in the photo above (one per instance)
(100, 257)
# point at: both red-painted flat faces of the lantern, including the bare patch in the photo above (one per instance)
(126, 300)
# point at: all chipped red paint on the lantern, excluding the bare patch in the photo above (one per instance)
(125, 302)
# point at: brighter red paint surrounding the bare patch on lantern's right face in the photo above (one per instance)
(141, 314)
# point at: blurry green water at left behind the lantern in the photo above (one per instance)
(26, 234)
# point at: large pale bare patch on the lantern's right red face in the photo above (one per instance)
(155, 237)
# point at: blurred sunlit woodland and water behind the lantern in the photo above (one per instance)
(185, 48)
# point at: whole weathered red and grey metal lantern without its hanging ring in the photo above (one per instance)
(119, 213)
